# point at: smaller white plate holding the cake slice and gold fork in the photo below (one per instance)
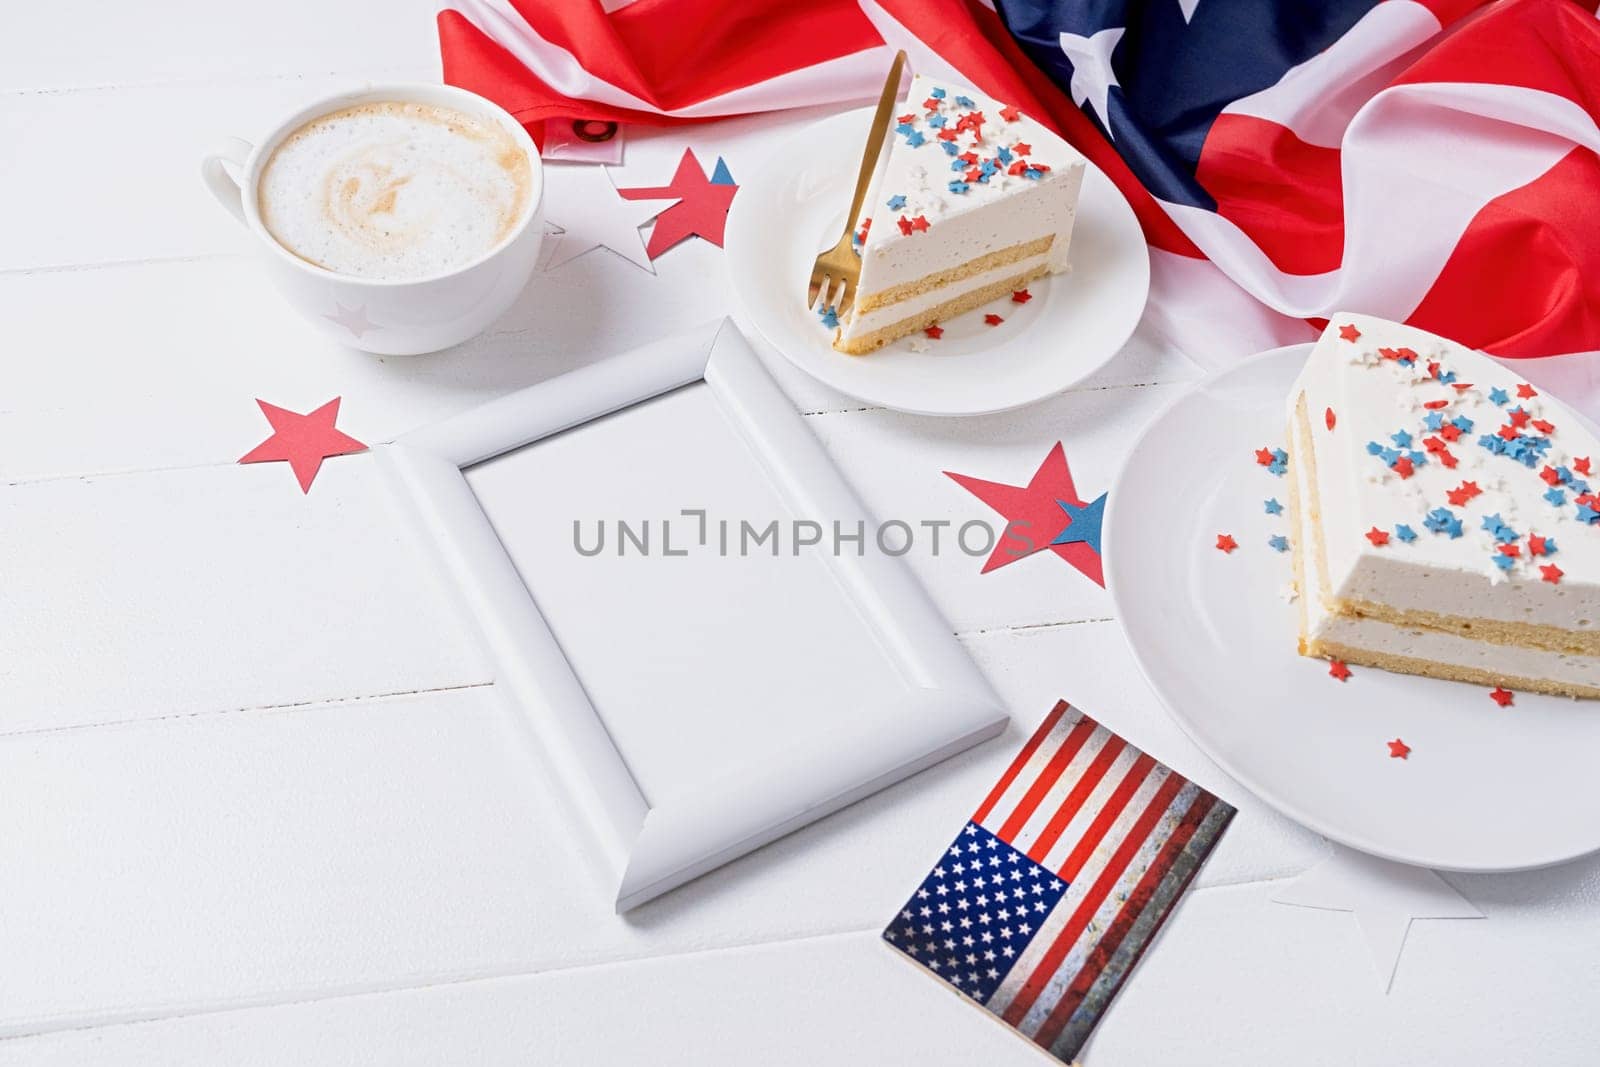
(1071, 329)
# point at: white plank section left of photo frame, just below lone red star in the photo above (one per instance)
(214, 589)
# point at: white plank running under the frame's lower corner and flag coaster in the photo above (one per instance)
(220, 860)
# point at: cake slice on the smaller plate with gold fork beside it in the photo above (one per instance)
(972, 204)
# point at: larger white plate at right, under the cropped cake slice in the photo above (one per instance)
(1484, 788)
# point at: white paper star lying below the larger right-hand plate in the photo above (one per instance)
(1385, 898)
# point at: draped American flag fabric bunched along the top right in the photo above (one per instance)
(1287, 159)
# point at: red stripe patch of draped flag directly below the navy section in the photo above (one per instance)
(1286, 194)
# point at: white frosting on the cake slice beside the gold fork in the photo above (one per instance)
(991, 215)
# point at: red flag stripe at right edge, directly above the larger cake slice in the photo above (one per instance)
(1551, 302)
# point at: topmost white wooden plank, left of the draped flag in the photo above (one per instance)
(62, 46)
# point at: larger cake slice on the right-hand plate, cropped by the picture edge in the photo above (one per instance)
(1444, 514)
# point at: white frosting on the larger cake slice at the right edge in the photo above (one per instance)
(1374, 399)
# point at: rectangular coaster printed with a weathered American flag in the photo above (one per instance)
(1060, 881)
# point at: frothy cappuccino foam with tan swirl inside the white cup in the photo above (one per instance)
(394, 190)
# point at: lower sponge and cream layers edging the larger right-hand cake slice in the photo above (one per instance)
(1422, 650)
